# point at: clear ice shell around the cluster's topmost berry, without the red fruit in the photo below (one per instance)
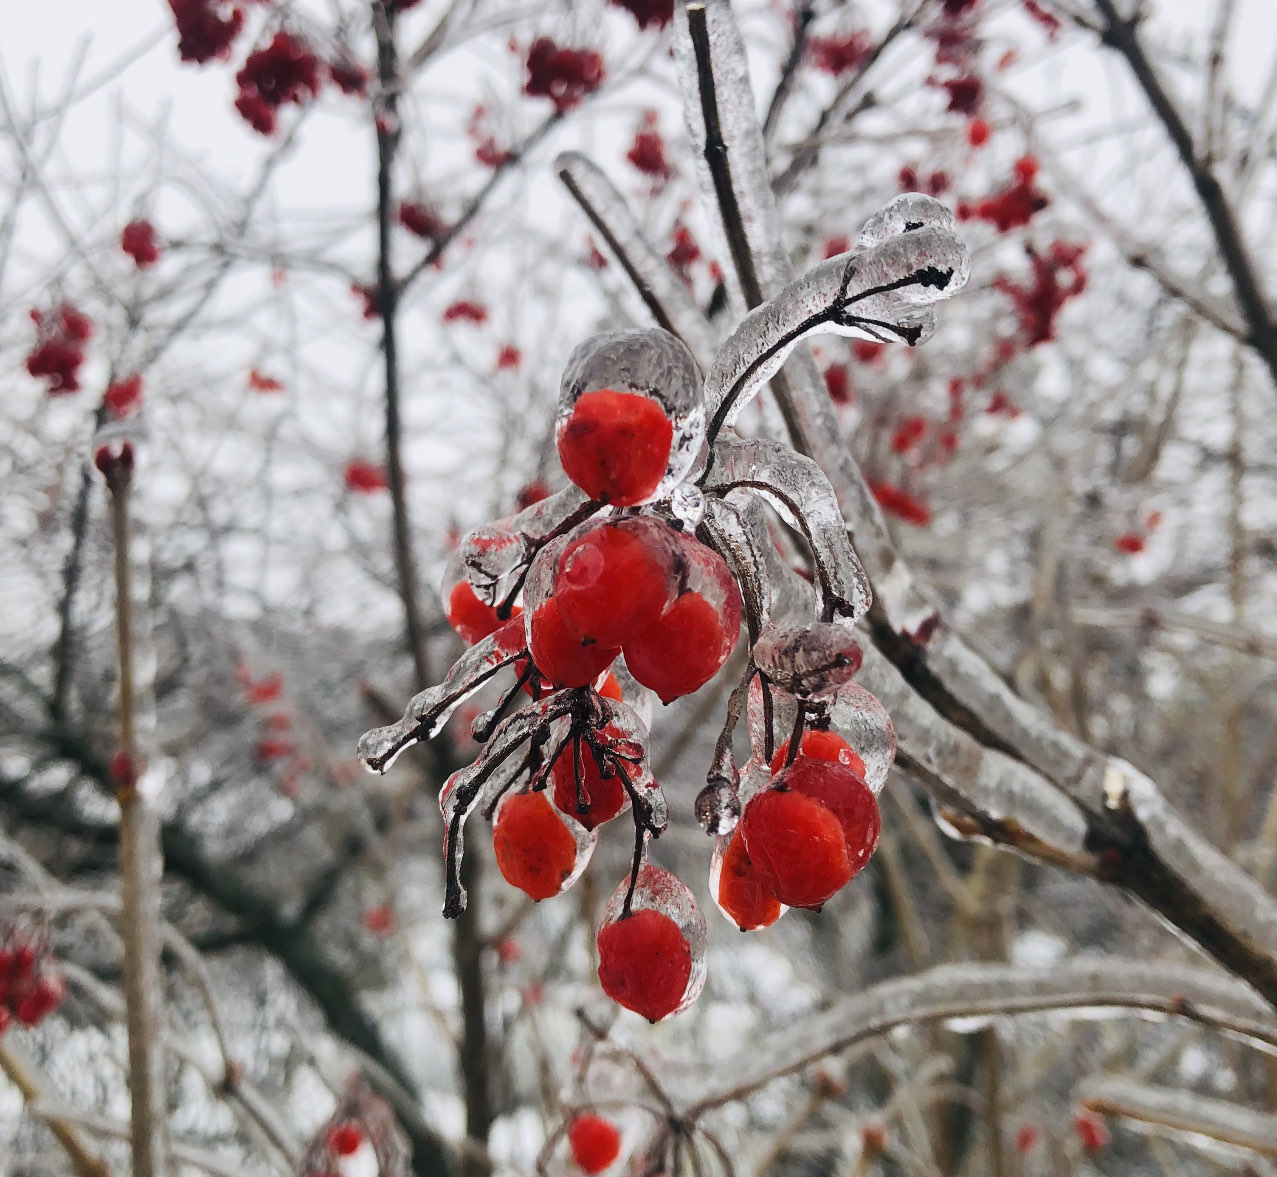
(653, 364)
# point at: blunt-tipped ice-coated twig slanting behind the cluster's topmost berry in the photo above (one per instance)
(661, 289)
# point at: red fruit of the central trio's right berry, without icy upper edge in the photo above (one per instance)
(685, 649)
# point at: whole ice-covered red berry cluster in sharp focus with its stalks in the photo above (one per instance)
(635, 583)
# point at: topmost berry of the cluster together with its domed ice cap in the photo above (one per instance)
(631, 417)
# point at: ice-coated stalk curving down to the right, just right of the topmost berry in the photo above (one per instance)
(797, 488)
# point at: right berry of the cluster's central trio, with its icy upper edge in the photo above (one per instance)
(695, 636)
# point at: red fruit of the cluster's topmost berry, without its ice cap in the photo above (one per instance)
(616, 446)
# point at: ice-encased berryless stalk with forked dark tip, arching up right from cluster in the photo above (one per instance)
(880, 293)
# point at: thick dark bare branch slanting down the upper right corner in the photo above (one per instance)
(1123, 36)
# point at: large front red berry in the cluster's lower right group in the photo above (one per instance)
(797, 848)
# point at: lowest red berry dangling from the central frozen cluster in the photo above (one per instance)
(646, 963)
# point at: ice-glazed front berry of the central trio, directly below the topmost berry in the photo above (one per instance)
(616, 576)
